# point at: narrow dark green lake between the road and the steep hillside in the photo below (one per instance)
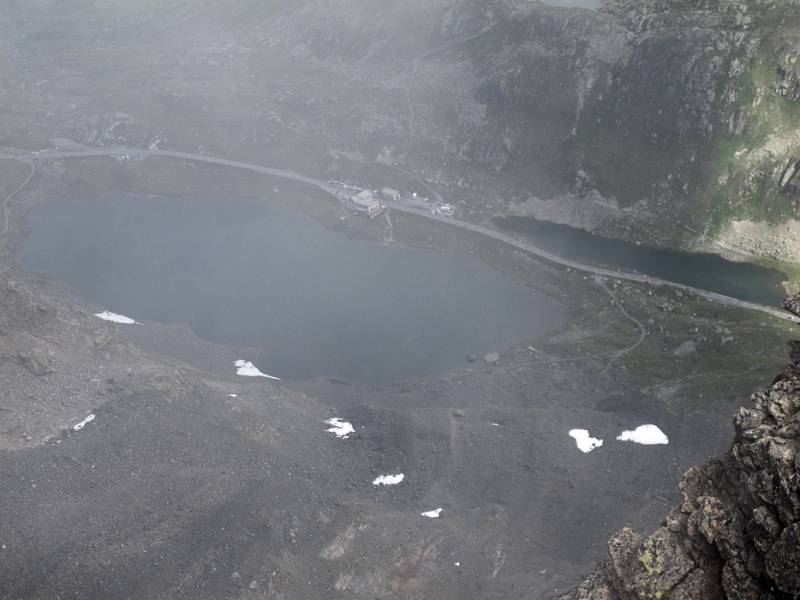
(744, 281)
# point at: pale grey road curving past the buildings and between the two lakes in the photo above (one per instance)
(123, 153)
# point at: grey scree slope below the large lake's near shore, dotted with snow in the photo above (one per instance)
(175, 487)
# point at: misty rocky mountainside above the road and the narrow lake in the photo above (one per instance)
(669, 121)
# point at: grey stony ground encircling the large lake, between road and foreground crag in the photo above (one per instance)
(176, 489)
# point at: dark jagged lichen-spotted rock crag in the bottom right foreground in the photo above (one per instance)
(737, 533)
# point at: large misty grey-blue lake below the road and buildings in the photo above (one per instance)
(245, 273)
